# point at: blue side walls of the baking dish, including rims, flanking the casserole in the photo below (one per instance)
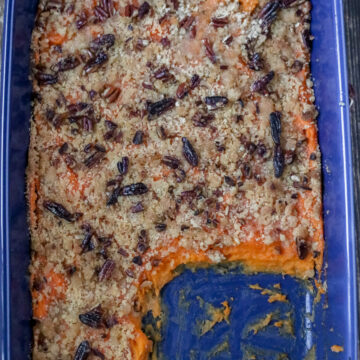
(331, 93)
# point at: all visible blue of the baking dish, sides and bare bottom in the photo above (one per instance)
(333, 320)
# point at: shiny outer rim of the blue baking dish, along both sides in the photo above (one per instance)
(5, 112)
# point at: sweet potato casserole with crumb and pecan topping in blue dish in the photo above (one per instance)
(164, 132)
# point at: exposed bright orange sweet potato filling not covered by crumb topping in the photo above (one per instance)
(253, 254)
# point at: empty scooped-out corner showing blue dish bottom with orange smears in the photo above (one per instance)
(223, 312)
